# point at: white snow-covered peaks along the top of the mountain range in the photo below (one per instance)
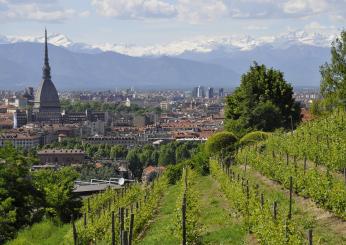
(227, 44)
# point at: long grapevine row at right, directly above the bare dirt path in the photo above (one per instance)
(321, 187)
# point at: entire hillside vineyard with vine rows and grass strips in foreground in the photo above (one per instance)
(287, 188)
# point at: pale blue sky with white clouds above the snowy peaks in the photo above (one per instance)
(144, 22)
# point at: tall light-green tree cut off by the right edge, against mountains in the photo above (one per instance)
(333, 81)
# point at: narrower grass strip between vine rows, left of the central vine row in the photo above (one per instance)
(161, 231)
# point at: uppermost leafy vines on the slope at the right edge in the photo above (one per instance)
(322, 141)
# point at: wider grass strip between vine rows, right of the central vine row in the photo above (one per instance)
(220, 223)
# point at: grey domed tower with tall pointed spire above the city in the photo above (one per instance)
(46, 98)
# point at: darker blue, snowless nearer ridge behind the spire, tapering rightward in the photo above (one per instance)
(20, 66)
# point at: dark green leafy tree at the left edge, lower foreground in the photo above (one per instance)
(19, 200)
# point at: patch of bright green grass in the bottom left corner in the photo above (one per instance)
(45, 233)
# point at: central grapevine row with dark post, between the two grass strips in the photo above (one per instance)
(187, 211)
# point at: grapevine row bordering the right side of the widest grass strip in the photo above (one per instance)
(267, 218)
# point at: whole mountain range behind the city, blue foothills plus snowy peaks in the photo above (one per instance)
(215, 62)
